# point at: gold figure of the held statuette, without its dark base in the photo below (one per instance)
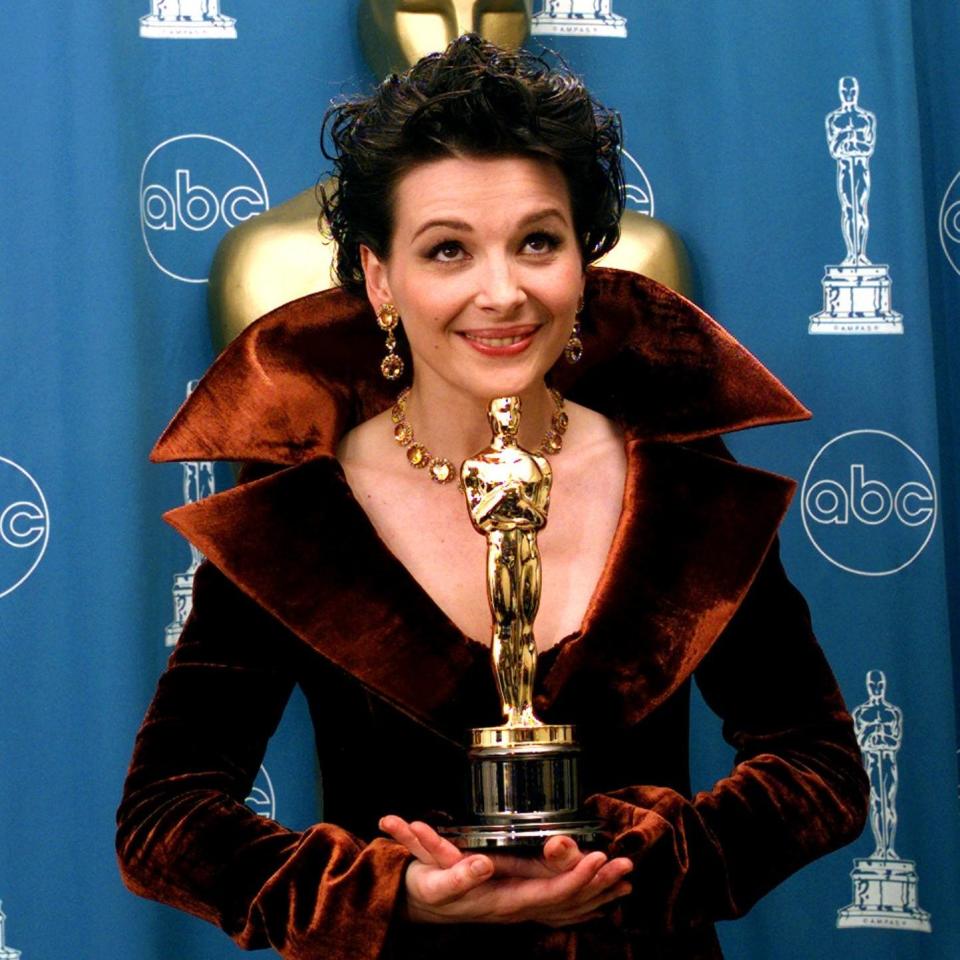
(508, 495)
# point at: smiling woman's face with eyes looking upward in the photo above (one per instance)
(484, 269)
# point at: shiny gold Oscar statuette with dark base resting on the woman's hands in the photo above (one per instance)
(524, 774)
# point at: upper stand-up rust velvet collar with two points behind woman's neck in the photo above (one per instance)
(295, 380)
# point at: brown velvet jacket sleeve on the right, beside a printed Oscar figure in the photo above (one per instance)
(797, 791)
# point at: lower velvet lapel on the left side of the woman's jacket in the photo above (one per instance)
(299, 544)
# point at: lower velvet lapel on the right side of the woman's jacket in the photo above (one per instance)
(694, 531)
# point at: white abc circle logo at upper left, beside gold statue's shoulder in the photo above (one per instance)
(193, 188)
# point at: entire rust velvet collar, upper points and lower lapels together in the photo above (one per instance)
(693, 533)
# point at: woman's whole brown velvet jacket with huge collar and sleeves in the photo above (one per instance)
(299, 589)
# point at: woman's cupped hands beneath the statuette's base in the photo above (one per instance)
(564, 887)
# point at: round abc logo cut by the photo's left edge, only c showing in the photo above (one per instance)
(24, 525)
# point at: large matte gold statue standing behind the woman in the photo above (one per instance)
(281, 255)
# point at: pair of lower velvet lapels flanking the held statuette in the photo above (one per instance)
(692, 535)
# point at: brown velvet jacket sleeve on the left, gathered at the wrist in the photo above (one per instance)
(185, 836)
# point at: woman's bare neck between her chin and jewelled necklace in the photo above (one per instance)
(454, 424)
